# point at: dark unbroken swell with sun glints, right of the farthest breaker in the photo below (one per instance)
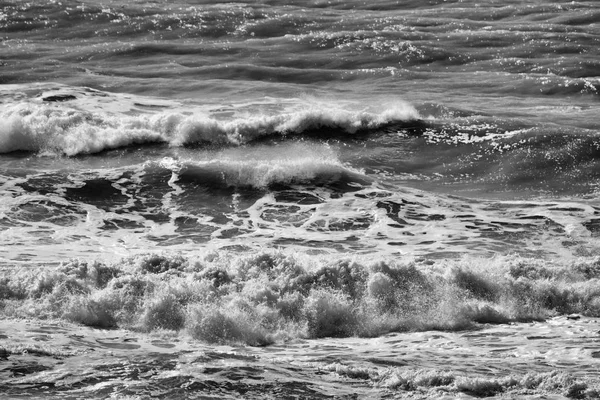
(486, 154)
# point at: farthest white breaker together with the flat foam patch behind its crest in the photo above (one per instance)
(85, 124)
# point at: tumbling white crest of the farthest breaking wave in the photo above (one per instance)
(62, 130)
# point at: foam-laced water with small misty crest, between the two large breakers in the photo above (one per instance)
(297, 194)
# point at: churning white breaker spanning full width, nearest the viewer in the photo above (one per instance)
(266, 297)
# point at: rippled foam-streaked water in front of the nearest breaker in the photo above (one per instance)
(501, 362)
